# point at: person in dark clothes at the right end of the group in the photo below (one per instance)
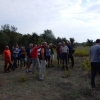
(70, 55)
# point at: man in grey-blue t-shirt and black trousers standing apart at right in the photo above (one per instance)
(94, 54)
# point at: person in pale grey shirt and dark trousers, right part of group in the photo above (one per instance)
(64, 53)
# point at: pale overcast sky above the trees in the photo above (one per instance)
(78, 19)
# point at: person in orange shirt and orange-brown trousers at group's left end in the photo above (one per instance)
(7, 59)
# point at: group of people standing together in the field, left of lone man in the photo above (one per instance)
(39, 56)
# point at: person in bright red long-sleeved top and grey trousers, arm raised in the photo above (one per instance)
(35, 59)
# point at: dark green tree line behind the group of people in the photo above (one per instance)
(9, 36)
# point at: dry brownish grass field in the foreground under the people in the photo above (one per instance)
(56, 85)
